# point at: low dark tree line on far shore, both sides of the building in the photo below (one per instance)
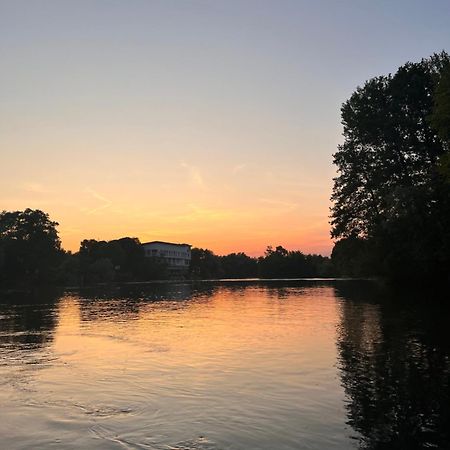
(31, 253)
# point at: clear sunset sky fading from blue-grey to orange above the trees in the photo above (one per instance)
(206, 122)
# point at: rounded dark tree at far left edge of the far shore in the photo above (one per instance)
(30, 248)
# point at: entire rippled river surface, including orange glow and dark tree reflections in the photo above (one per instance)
(275, 365)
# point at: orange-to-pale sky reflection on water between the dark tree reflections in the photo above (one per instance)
(177, 366)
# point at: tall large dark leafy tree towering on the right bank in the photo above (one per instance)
(388, 190)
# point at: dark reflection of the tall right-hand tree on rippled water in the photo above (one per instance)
(395, 366)
